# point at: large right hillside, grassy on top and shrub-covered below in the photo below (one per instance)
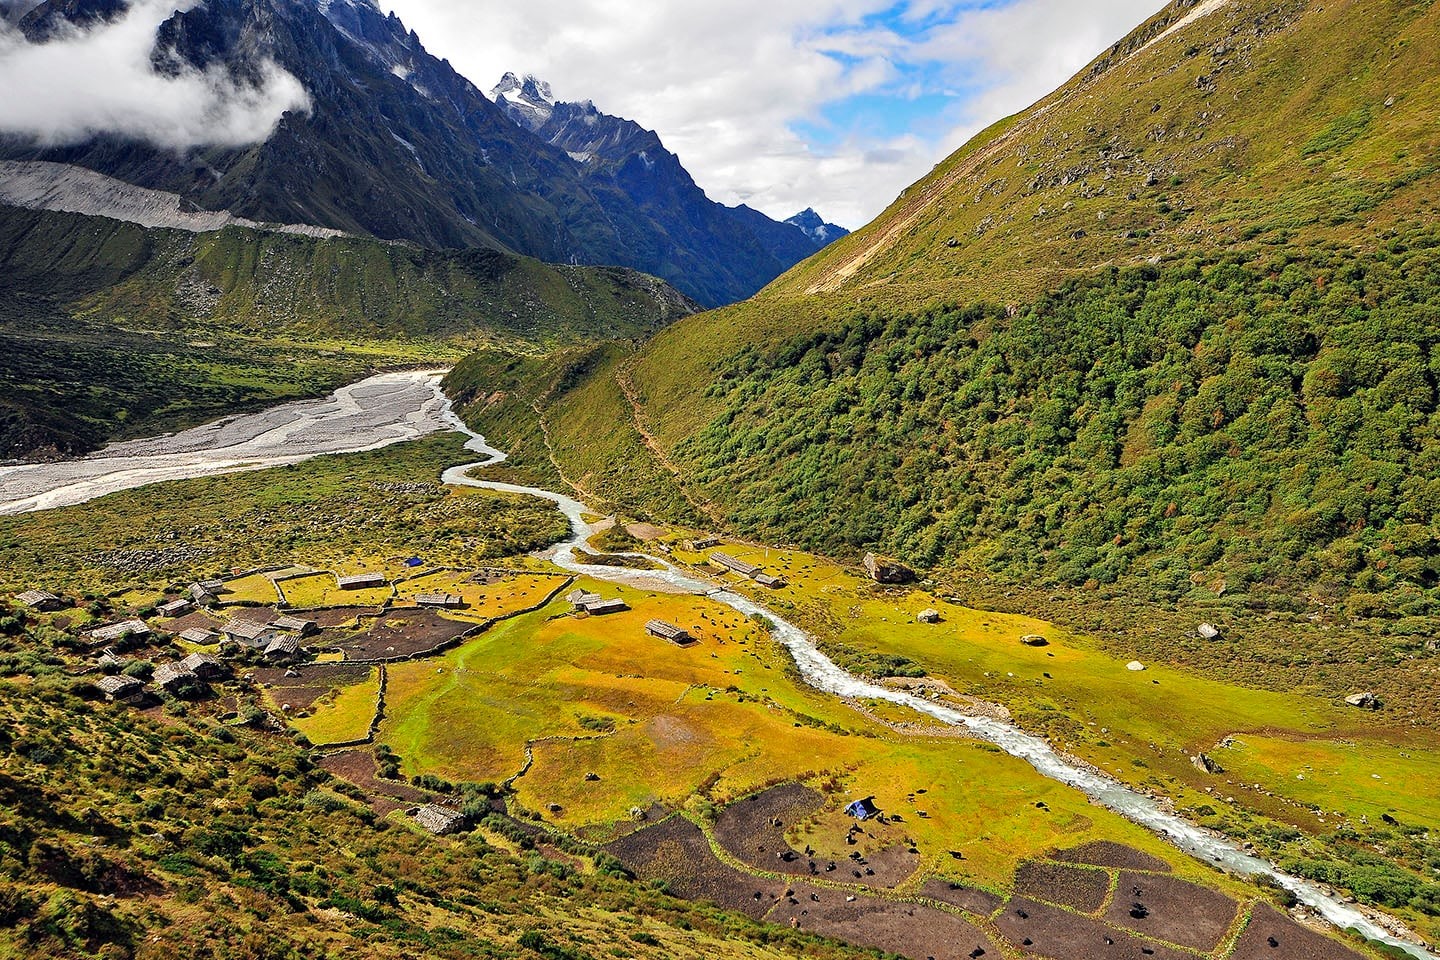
(1170, 335)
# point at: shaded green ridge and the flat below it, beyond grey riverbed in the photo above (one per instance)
(208, 325)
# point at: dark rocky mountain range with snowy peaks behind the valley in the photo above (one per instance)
(400, 146)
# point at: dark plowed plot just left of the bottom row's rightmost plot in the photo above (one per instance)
(1171, 909)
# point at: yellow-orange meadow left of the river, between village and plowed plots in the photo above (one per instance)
(656, 723)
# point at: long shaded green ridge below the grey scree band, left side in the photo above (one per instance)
(256, 281)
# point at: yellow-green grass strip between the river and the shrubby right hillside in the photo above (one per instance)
(1143, 728)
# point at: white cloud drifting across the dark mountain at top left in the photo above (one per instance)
(102, 81)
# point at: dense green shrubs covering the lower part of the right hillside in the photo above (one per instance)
(1242, 427)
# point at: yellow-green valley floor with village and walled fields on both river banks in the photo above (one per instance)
(584, 745)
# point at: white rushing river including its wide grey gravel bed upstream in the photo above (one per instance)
(401, 407)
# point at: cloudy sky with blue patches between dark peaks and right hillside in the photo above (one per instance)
(728, 84)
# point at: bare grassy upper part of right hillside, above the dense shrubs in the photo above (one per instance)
(1297, 122)
